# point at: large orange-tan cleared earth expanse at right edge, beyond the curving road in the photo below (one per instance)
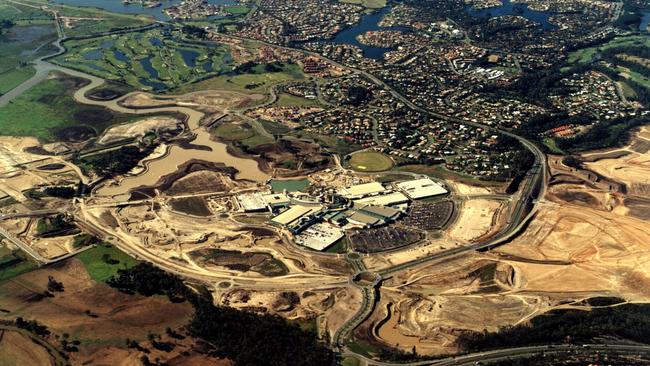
(602, 252)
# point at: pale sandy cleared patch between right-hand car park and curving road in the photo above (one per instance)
(476, 219)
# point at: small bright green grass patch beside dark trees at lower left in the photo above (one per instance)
(97, 263)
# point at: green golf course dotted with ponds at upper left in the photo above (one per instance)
(154, 59)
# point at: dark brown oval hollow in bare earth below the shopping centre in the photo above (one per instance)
(262, 263)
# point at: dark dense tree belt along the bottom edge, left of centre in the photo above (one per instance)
(245, 338)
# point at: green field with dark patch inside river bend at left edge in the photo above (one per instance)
(48, 111)
